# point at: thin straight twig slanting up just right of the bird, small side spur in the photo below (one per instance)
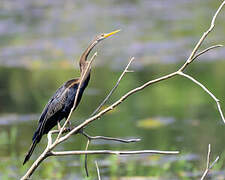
(114, 88)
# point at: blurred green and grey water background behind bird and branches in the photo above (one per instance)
(40, 46)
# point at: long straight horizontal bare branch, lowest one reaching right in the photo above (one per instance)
(63, 153)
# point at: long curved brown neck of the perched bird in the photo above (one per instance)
(83, 60)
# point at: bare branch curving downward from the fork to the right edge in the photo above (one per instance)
(207, 91)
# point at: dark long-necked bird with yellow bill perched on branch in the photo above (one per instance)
(61, 103)
